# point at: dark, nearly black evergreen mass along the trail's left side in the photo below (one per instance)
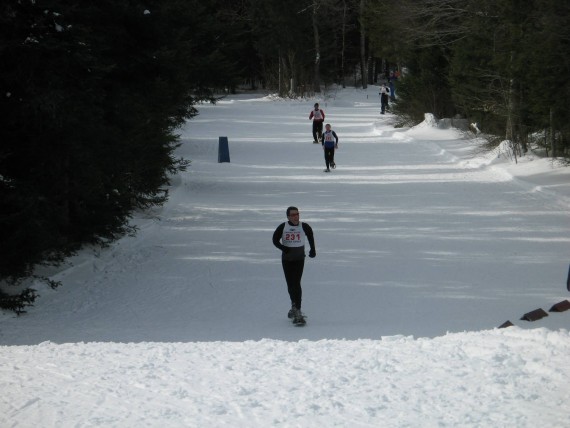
(93, 95)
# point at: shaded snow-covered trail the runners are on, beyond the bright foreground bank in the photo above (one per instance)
(410, 239)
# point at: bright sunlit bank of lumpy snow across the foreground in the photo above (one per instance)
(508, 377)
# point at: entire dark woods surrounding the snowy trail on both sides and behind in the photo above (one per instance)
(92, 92)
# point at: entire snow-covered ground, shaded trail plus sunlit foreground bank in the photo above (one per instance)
(424, 247)
